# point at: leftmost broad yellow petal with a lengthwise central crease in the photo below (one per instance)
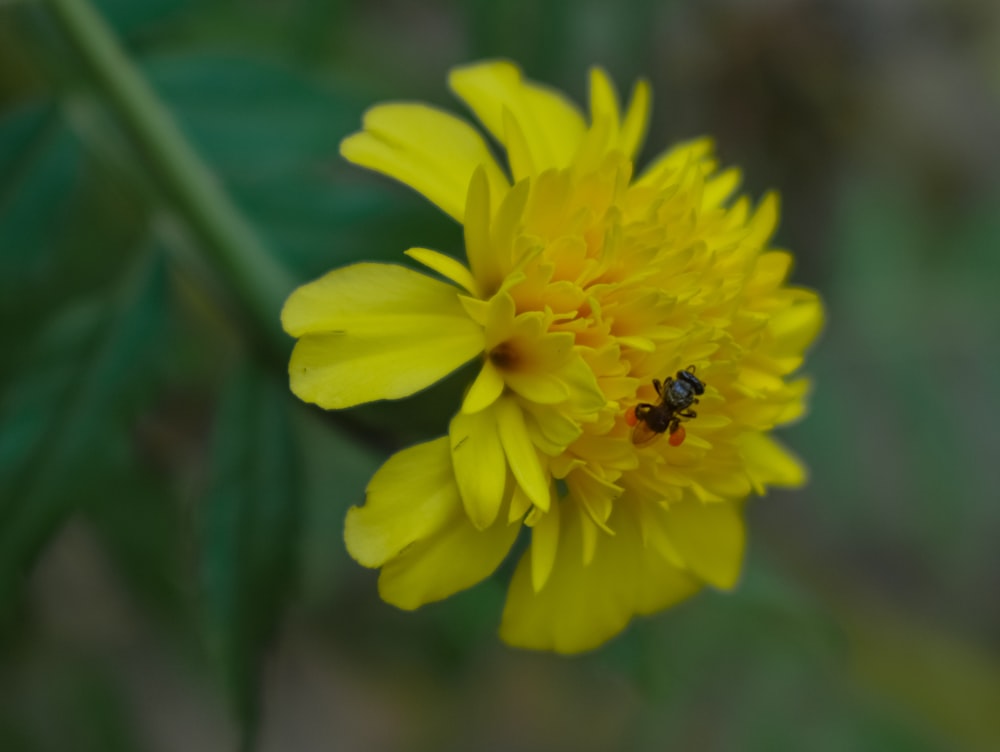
(375, 331)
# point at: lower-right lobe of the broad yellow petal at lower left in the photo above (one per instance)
(455, 557)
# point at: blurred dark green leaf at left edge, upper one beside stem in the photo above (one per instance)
(66, 230)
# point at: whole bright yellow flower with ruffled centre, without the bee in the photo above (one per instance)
(584, 283)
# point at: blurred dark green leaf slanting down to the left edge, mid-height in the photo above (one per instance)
(72, 391)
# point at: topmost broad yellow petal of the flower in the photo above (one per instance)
(552, 126)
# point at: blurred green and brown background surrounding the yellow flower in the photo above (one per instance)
(172, 573)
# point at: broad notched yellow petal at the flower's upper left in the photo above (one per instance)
(430, 150)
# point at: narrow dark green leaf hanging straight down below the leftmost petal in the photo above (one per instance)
(249, 532)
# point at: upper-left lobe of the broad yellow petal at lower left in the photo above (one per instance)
(411, 496)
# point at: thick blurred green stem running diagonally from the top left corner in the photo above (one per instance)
(260, 282)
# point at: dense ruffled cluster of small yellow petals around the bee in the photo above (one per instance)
(604, 285)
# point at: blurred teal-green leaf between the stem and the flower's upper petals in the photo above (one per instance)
(272, 133)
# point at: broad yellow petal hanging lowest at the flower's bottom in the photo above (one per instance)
(580, 606)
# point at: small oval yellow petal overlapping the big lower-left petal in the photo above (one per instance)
(480, 467)
